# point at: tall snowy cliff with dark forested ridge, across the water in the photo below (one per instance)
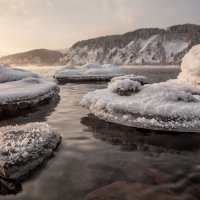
(143, 46)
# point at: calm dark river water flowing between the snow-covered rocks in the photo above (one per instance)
(99, 159)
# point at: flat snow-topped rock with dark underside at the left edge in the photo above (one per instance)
(20, 89)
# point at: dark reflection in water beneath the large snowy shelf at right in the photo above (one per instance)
(130, 138)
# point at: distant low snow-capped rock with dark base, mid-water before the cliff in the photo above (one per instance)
(87, 73)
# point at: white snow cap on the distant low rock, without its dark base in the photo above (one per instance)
(89, 71)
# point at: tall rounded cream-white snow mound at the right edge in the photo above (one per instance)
(190, 66)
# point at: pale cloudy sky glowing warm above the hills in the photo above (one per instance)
(57, 24)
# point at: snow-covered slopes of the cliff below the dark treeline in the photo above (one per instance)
(156, 49)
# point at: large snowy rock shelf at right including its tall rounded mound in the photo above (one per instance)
(174, 104)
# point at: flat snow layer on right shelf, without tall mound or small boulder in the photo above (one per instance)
(161, 102)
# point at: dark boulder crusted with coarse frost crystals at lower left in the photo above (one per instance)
(23, 148)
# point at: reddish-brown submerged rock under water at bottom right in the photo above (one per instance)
(139, 191)
